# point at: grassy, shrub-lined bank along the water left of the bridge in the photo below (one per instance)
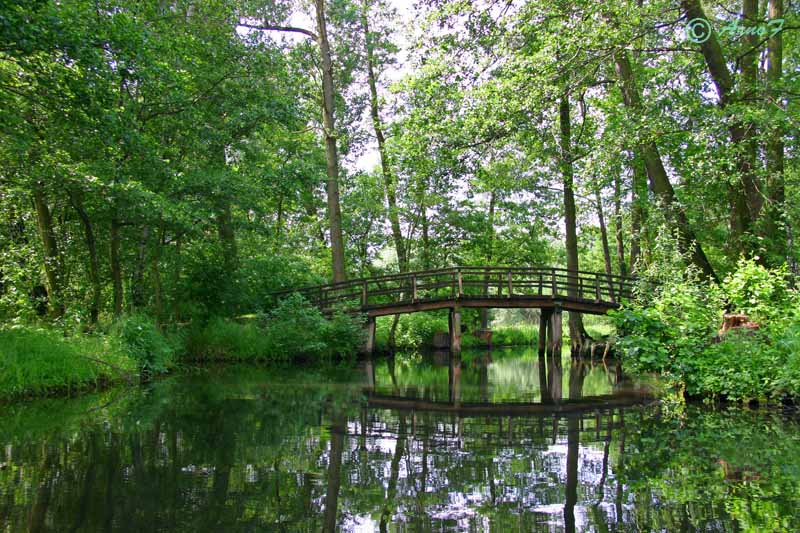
(37, 361)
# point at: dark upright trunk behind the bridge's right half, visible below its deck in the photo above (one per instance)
(577, 333)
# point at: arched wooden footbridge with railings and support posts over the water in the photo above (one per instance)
(550, 289)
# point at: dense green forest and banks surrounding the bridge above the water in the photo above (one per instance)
(166, 165)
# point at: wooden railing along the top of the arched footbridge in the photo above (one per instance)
(472, 282)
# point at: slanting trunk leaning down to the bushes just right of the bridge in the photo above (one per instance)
(659, 181)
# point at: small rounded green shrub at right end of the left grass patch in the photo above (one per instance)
(138, 336)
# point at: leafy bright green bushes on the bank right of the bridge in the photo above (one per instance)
(674, 331)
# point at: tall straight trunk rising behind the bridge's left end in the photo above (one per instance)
(331, 153)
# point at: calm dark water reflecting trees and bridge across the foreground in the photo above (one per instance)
(417, 444)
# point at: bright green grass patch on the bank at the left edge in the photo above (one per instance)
(35, 361)
